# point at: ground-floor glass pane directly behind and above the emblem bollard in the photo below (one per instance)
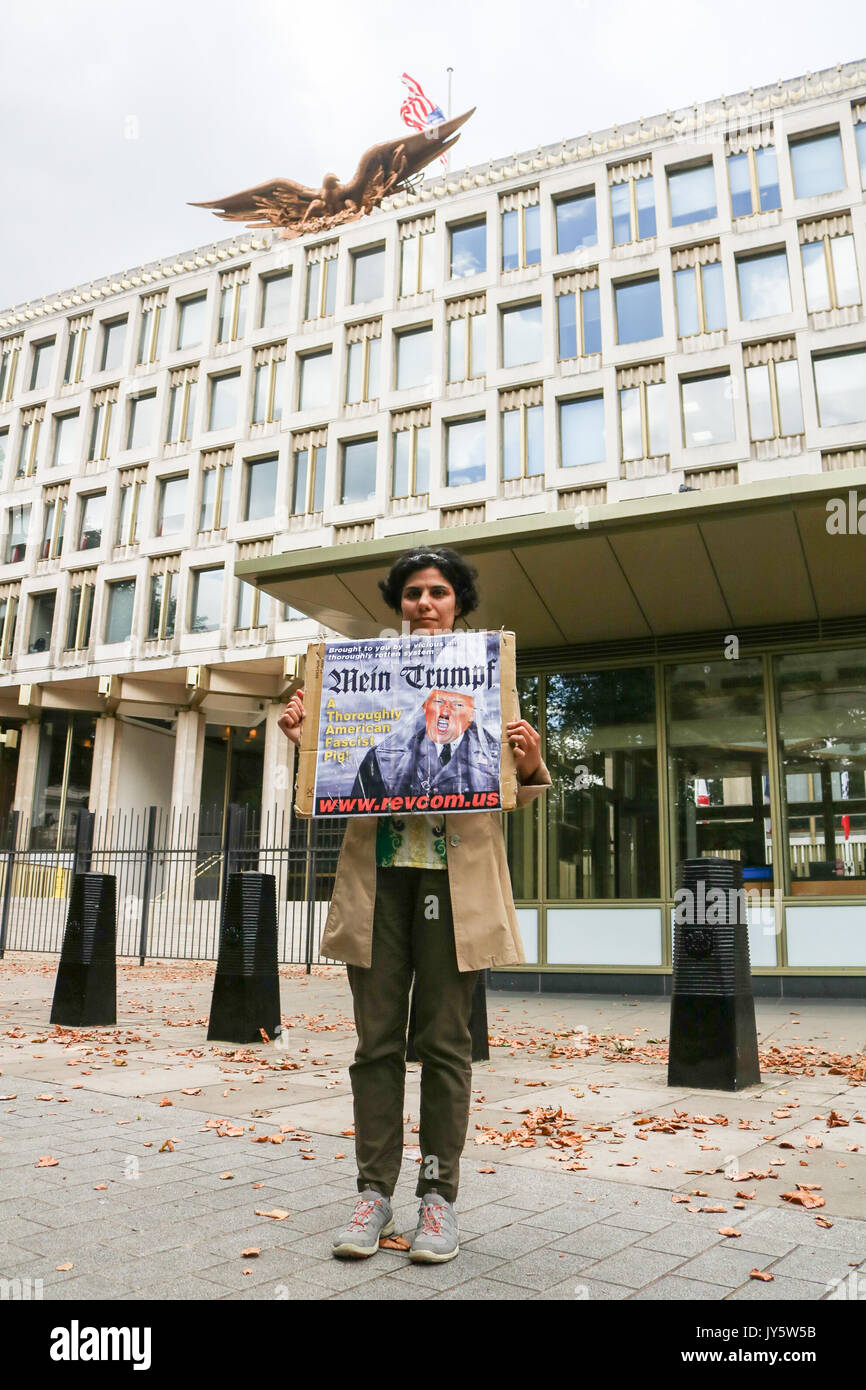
(718, 767)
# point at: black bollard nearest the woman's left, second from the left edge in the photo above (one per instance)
(247, 986)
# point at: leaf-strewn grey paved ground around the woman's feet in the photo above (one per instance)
(138, 1218)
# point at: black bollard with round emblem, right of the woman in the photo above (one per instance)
(714, 1040)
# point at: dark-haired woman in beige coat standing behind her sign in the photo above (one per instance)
(425, 896)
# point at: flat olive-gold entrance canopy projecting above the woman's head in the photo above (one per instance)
(715, 561)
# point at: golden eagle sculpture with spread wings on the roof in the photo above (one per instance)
(383, 170)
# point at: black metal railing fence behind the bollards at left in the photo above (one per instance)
(172, 874)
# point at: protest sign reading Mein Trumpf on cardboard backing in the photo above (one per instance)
(409, 726)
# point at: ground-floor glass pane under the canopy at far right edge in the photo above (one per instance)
(821, 733)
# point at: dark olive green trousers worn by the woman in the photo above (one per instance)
(414, 933)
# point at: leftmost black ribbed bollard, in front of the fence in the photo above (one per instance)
(85, 992)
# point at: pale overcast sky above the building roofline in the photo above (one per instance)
(116, 115)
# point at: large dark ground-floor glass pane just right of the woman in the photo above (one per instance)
(603, 810)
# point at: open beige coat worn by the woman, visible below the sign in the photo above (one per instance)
(483, 908)
